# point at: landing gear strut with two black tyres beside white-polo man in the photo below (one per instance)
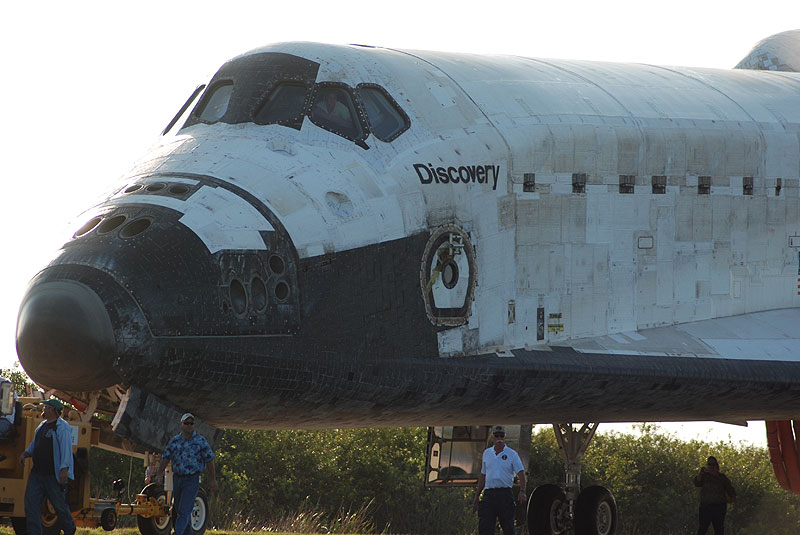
(591, 511)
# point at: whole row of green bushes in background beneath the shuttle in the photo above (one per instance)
(371, 481)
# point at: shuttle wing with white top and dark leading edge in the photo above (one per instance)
(726, 369)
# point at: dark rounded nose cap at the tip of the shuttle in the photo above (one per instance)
(65, 339)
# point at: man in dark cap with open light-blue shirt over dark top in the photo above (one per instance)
(51, 449)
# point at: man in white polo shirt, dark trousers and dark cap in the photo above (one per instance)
(500, 464)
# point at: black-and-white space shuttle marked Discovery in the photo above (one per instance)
(335, 236)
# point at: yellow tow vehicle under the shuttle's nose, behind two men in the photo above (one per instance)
(151, 506)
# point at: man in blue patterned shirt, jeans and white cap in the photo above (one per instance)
(190, 454)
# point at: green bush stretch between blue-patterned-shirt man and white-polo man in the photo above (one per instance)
(267, 475)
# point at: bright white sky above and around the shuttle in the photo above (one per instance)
(87, 86)
